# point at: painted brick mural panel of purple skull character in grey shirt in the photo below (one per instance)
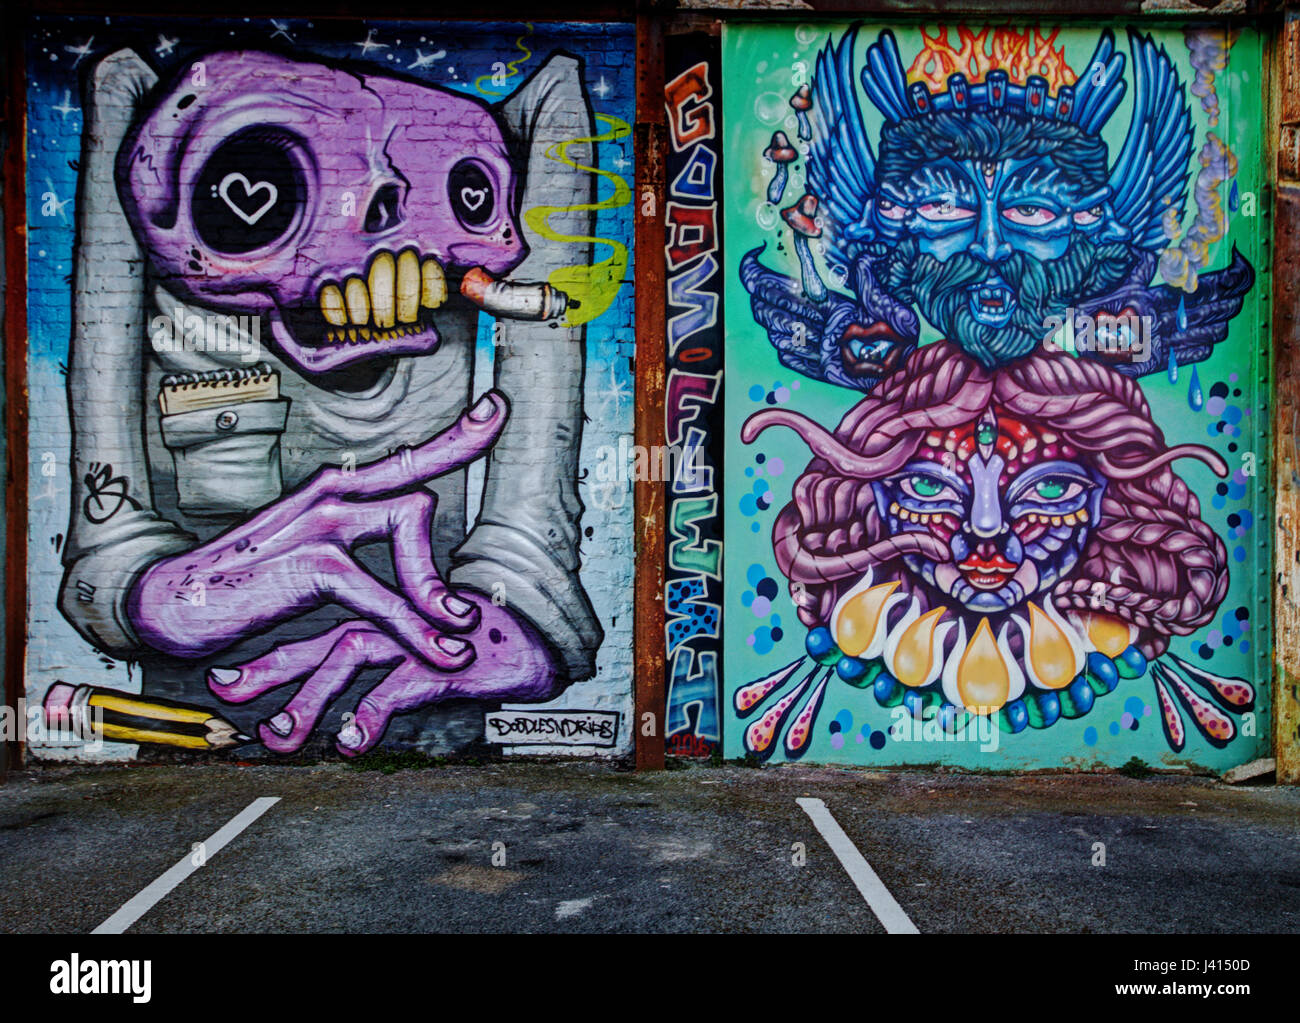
(259, 250)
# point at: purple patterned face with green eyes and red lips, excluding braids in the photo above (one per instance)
(1011, 504)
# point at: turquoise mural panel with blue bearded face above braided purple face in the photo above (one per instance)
(996, 396)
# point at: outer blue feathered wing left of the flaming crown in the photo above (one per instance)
(842, 167)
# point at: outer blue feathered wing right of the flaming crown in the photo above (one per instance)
(1151, 175)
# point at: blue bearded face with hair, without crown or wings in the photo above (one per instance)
(993, 224)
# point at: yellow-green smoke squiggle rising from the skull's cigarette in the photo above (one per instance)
(595, 287)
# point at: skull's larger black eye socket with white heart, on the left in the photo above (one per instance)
(250, 193)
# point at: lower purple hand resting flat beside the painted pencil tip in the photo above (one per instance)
(513, 664)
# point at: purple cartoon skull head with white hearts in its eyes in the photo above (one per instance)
(343, 209)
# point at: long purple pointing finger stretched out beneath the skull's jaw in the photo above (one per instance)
(469, 439)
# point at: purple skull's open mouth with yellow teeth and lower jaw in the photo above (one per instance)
(387, 313)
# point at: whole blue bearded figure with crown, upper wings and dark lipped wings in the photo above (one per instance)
(990, 211)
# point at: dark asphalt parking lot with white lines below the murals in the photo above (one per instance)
(534, 847)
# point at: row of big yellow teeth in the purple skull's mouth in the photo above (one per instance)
(385, 305)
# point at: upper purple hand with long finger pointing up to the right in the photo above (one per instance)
(297, 556)
